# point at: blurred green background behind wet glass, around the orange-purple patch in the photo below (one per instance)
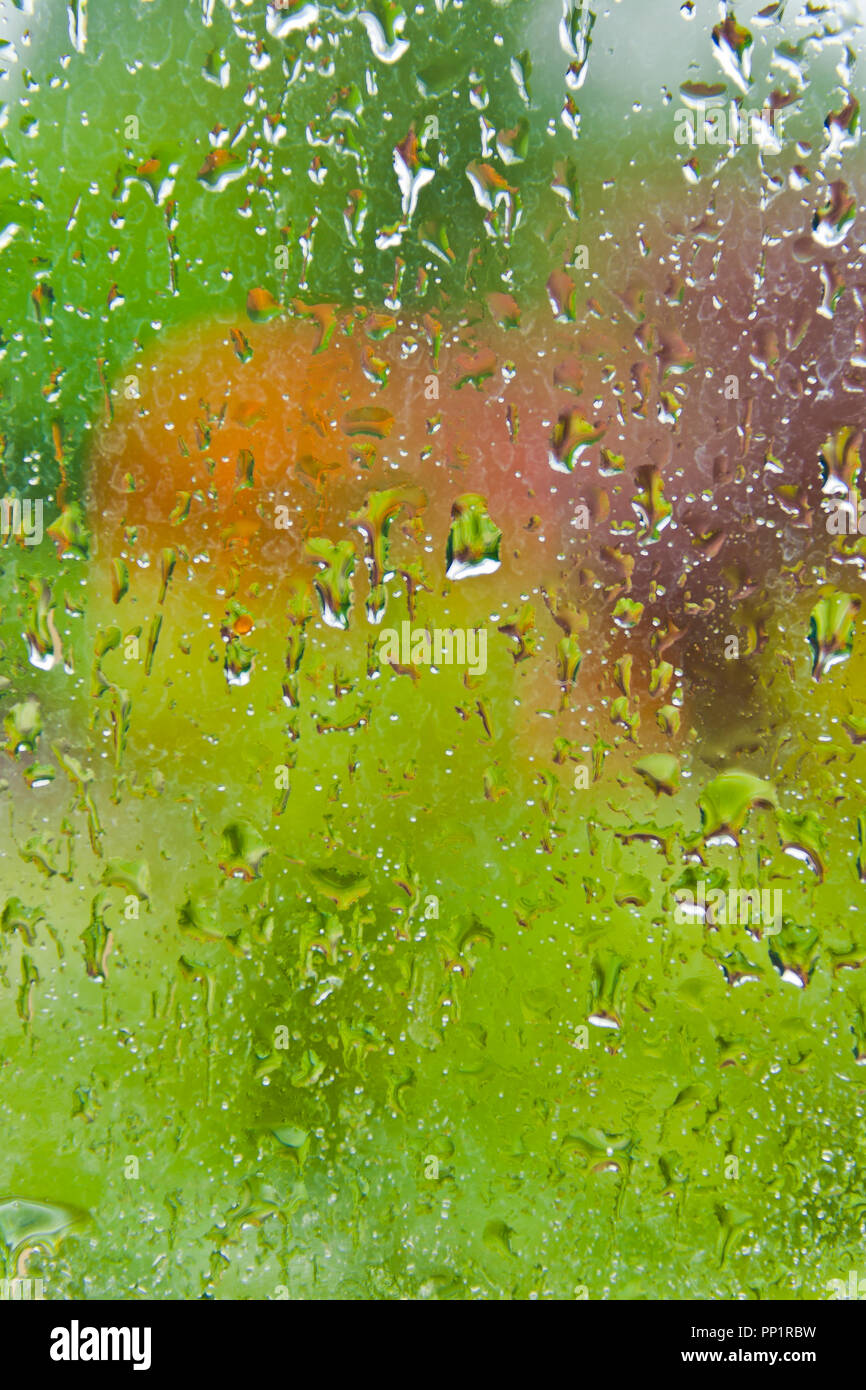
(344, 1047)
